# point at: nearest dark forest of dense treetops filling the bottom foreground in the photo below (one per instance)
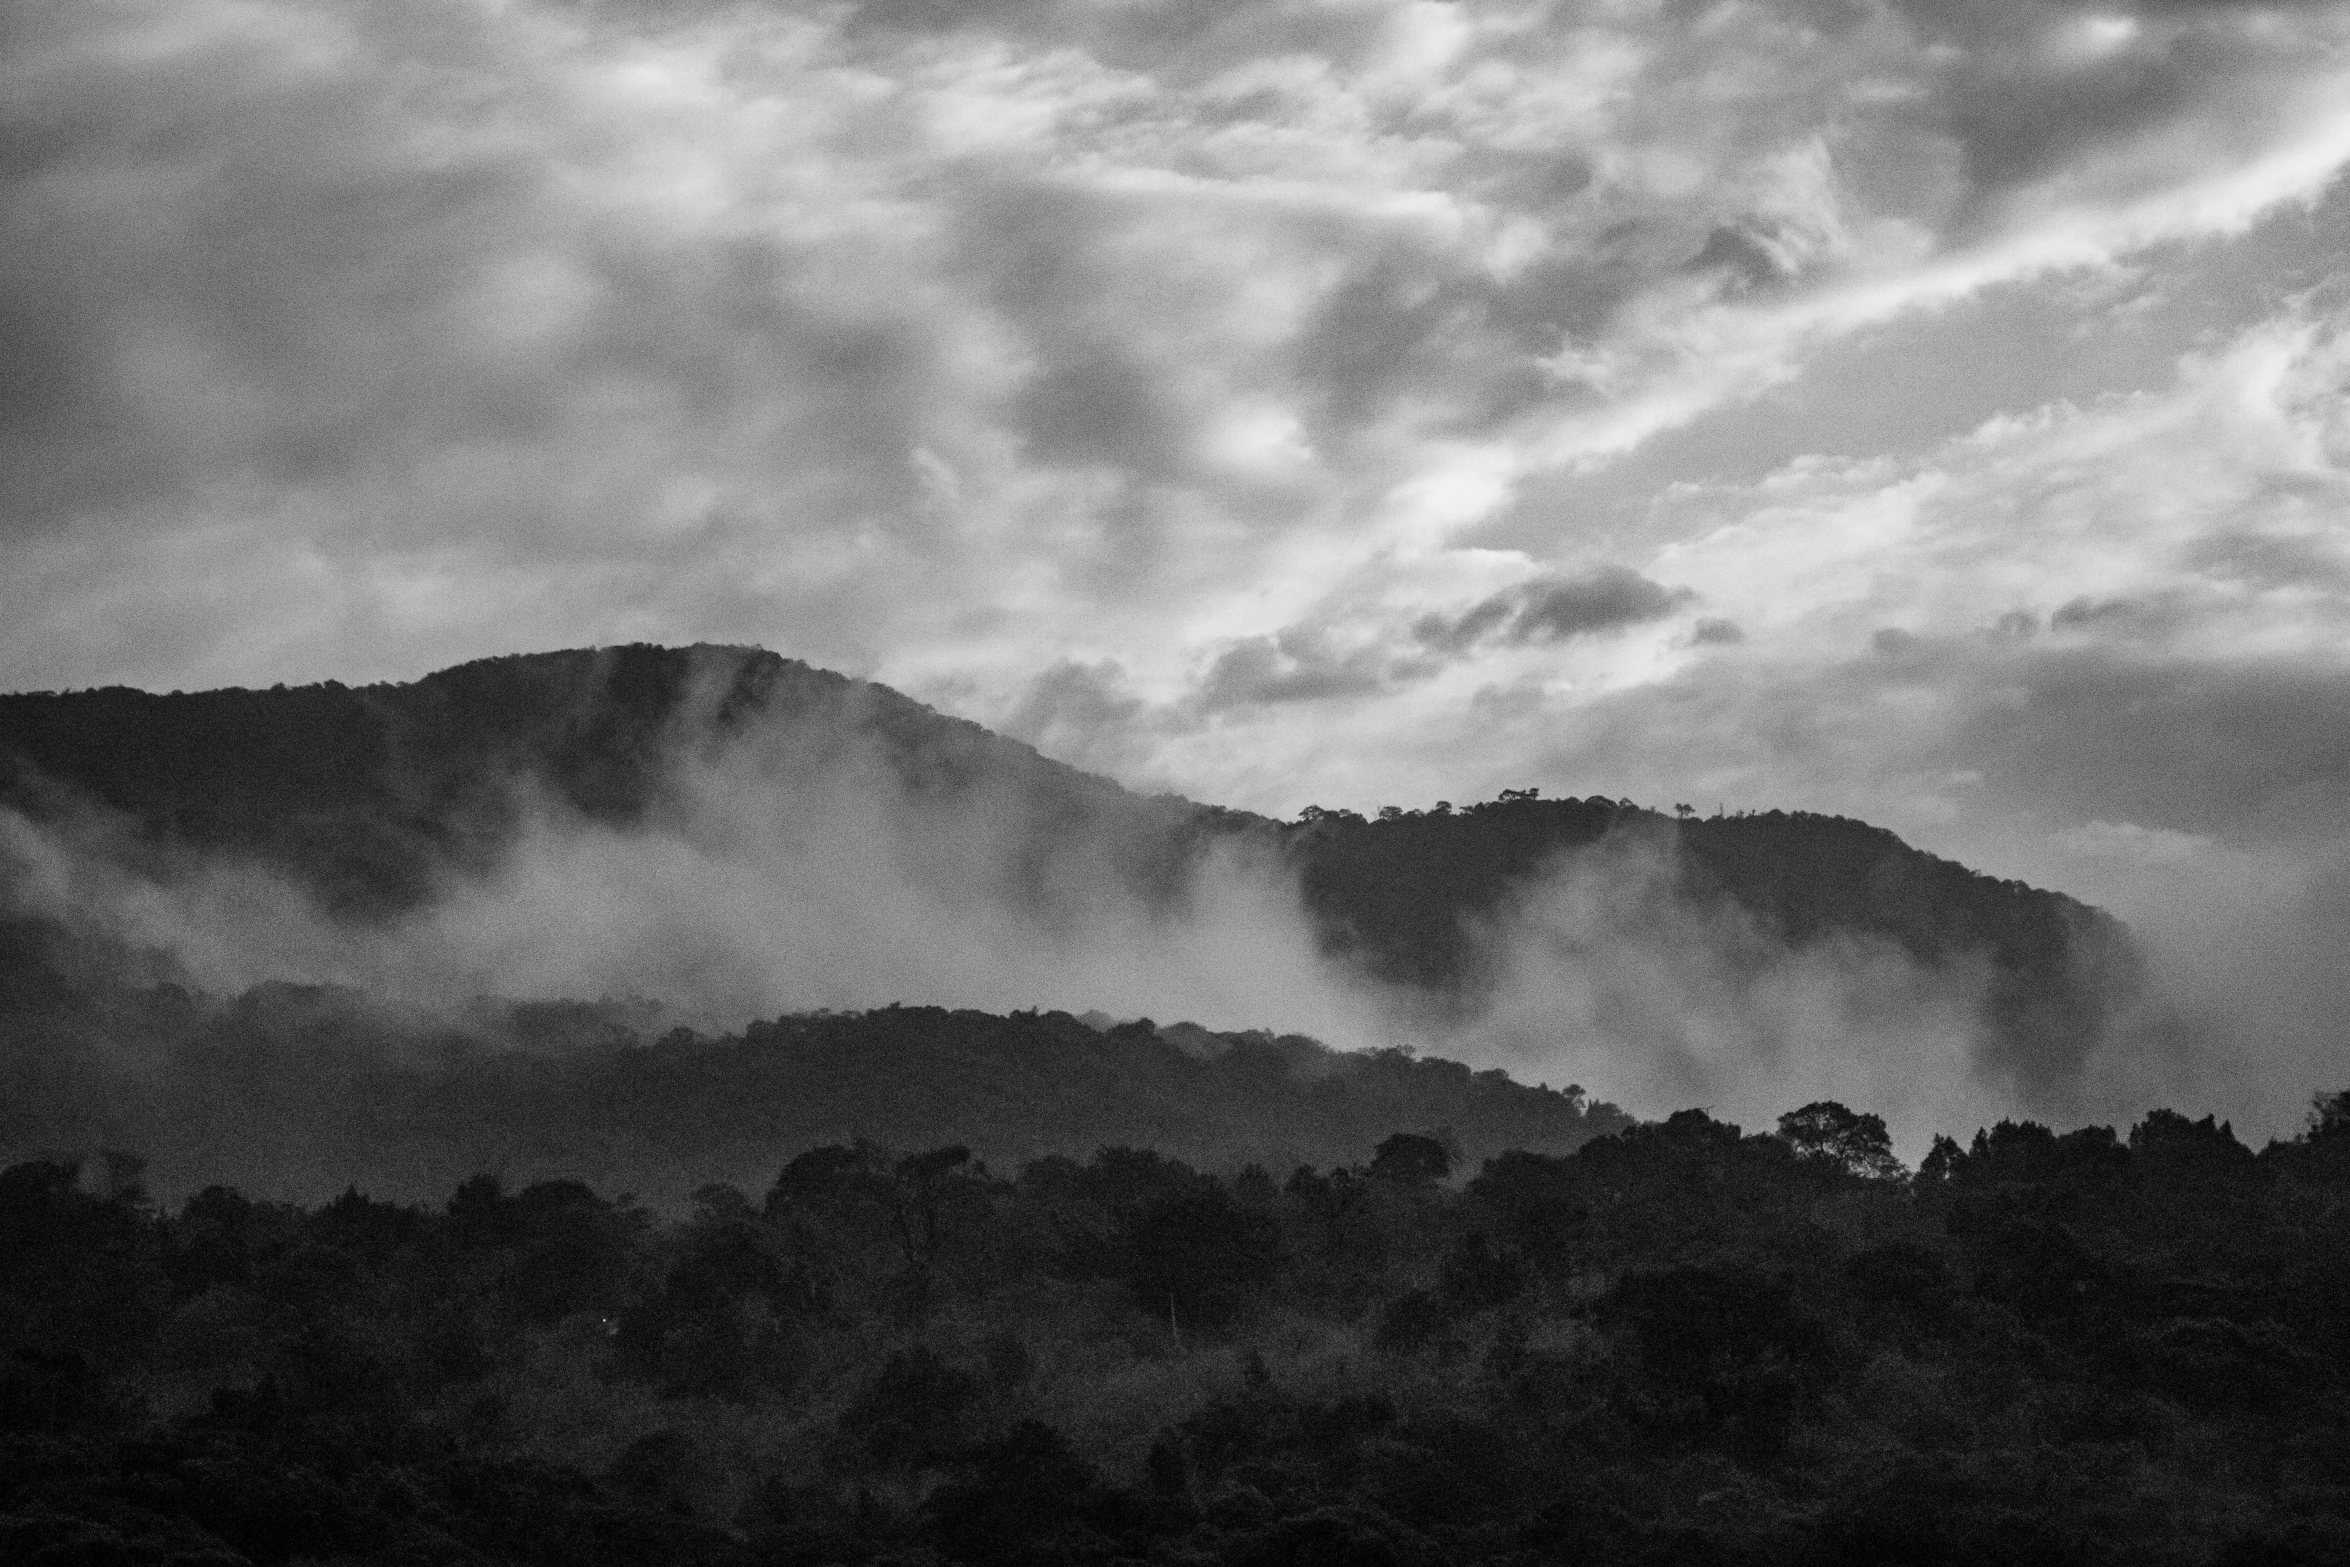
(1677, 1345)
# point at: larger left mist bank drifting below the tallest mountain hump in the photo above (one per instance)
(798, 866)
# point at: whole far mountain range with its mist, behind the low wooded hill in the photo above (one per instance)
(713, 838)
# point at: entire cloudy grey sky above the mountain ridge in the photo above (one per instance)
(1921, 410)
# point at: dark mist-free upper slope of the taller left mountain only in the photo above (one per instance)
(370, 795)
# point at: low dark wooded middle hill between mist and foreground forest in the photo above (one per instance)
(297, 1091)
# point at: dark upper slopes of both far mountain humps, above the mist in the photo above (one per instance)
(380, 798)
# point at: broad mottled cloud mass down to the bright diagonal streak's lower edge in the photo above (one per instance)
(349, 342)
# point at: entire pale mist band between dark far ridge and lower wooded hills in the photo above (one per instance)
(791, 870)
